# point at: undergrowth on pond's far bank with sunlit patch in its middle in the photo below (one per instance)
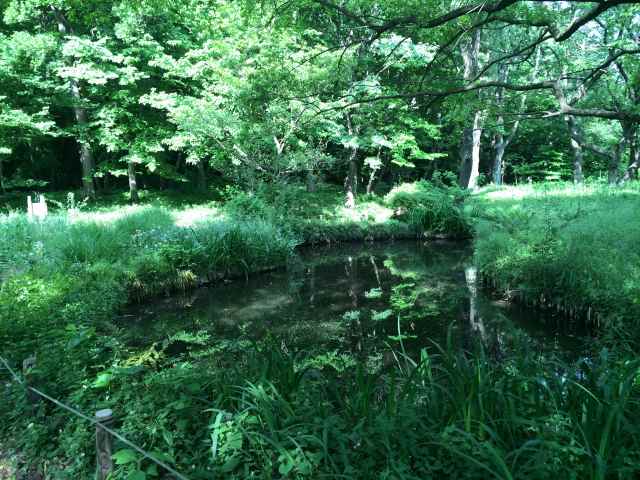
(410, 210)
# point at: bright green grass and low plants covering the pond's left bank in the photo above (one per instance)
(64, 280)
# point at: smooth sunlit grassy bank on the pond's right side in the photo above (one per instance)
(570, 249)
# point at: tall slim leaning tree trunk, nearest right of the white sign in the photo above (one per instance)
(86, 155)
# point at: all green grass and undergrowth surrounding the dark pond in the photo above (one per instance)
(247, 409)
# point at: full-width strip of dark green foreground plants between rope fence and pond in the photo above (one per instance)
(261, 412)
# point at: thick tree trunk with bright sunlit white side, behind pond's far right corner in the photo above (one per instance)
(470, 147)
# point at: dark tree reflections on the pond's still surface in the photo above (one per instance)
(305, 304)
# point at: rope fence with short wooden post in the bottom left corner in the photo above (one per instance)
(104, 461)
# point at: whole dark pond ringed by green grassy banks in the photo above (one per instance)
(354, 298)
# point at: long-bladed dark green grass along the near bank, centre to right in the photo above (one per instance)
(450, 415)
